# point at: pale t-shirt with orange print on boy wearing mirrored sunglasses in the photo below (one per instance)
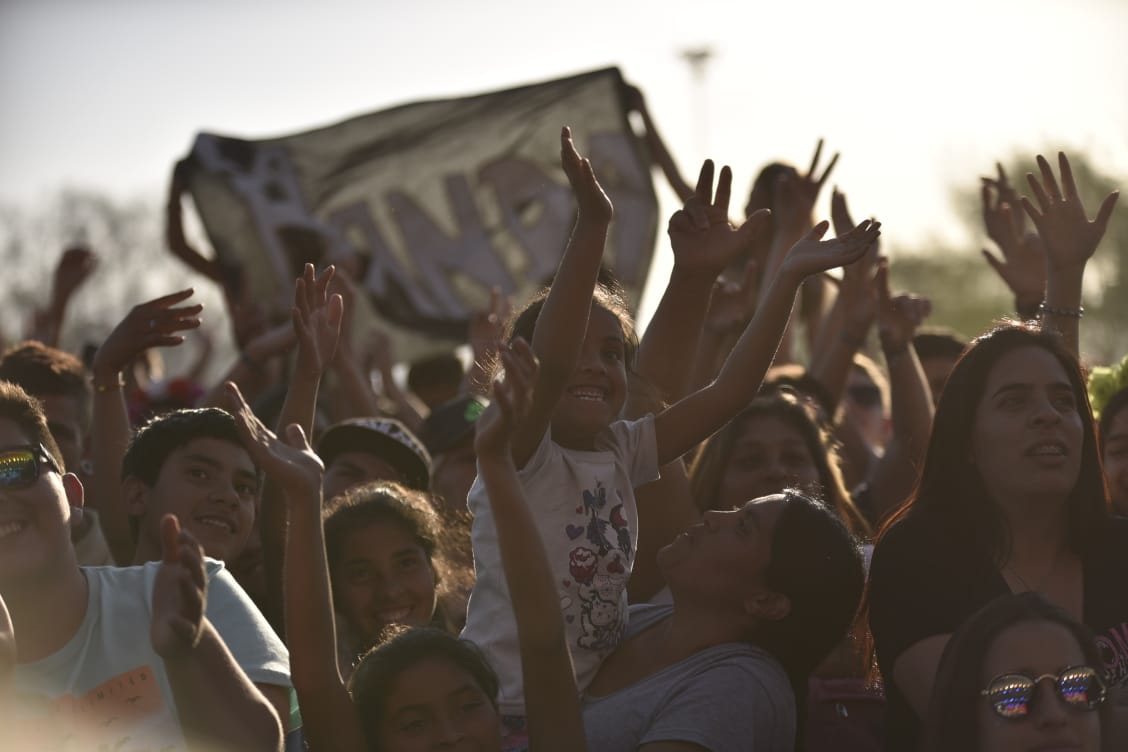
(108, 689)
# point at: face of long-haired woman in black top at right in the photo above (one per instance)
(1028, 433)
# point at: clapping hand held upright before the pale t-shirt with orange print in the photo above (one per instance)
(180, 592)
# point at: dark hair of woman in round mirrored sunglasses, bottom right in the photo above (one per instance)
(954, 723)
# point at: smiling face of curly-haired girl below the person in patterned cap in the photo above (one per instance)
(383, 577)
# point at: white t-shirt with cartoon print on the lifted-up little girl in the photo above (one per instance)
(585, 508)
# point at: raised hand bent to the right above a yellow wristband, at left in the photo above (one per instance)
(153, 324)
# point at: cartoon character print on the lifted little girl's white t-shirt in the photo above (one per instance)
(600, 564)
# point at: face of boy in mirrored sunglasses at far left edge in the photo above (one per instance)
(36, 521)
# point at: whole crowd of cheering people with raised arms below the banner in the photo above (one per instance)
(803, 537)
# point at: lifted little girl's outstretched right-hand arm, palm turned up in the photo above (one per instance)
(685, 424)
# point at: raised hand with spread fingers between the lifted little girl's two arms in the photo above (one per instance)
(701, 234)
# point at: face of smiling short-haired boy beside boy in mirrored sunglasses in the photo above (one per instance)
(211, 486)
